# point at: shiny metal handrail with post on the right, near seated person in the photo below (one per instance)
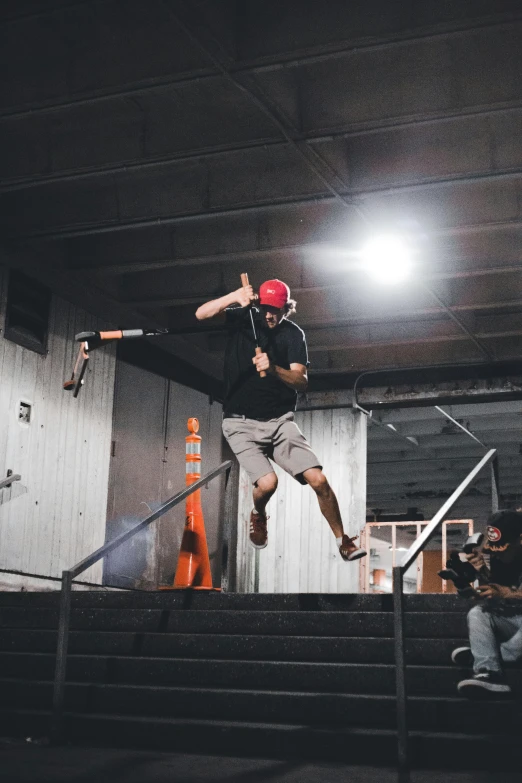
(398, 596)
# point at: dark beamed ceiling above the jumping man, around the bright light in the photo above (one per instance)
(153, 151)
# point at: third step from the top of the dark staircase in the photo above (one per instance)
(232, 646)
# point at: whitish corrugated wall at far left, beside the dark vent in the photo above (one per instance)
(57, 513)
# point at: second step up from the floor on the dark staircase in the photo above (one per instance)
(369, 710)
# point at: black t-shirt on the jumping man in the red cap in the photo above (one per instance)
(245, 391)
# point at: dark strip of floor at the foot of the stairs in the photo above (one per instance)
(29, 763)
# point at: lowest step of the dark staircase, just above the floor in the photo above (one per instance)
(269, 740)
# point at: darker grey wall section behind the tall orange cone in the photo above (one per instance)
(148, 466)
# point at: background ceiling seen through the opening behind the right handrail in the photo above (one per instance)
(423, 472)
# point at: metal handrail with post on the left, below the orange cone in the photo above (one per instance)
(69, 574)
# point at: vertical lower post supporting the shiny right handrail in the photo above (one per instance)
(400, 668)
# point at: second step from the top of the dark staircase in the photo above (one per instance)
(313, 623)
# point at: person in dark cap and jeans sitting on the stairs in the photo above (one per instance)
(495, 622)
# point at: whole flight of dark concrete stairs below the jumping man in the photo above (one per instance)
(289, 676)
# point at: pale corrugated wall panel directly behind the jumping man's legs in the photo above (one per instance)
(301, 556)
